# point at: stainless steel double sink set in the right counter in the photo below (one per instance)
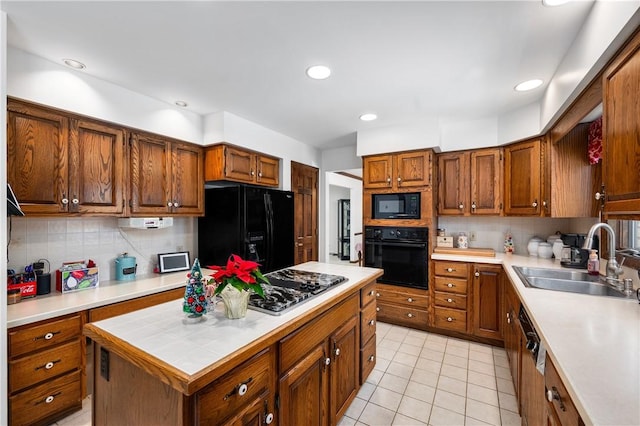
(563, 280)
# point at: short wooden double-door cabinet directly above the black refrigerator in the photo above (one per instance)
(226, 162)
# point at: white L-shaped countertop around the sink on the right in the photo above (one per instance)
(594, 342)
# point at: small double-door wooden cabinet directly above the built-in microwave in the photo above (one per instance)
(394, 171)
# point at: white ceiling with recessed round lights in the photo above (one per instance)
(401, 60)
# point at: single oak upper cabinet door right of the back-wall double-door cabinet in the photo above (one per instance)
(522, 178)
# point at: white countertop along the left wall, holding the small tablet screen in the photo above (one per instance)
(56, 304)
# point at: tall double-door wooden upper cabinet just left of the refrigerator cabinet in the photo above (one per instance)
(166, 177)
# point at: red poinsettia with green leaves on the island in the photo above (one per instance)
(241, 274)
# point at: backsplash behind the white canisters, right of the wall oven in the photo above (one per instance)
(490, 231)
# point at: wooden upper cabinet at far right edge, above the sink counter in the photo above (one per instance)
(621, 131)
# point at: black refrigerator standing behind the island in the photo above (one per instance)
(255, 223)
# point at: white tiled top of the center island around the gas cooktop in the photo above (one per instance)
(164, 332)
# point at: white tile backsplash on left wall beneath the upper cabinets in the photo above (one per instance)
(67, 239)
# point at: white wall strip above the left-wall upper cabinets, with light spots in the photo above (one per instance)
(38, 80)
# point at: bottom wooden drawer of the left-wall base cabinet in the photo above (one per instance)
(60, 395)
